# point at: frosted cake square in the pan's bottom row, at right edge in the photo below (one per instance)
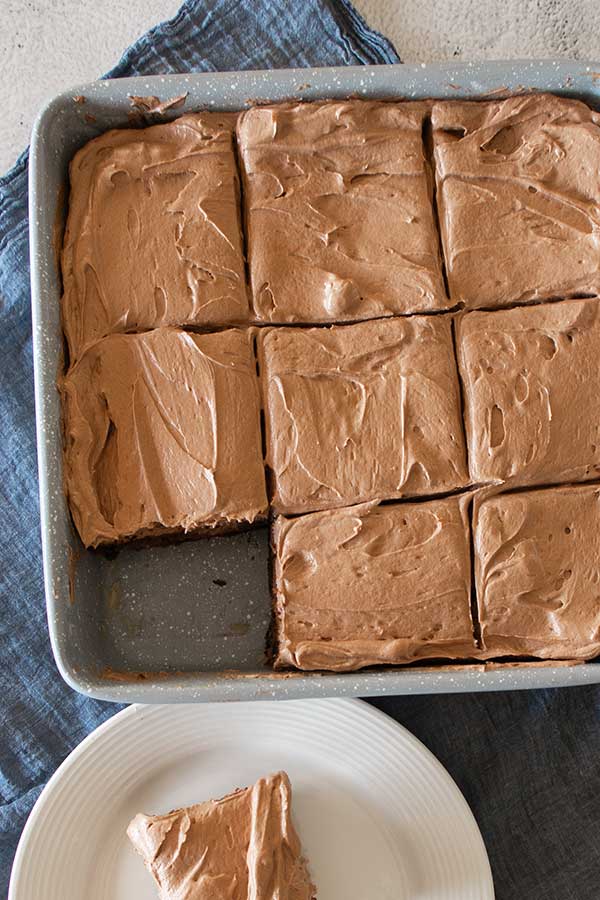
(537, 573)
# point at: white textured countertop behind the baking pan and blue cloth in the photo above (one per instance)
(51, 44)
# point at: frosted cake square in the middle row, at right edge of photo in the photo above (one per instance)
(532, 392)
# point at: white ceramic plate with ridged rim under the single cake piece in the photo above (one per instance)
(378, 816)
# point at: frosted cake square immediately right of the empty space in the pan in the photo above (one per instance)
(374, 584)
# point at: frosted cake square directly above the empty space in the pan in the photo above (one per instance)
(162, 434)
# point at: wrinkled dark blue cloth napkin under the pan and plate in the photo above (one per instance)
(528, 763)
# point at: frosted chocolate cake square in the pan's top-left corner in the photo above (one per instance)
(153, 234)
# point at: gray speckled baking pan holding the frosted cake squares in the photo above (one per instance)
(187, 622)
